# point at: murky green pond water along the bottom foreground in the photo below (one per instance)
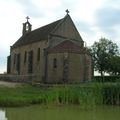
(38, 112)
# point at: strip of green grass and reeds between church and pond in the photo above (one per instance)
(87, 94)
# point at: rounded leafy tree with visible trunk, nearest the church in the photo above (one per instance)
(101, 52)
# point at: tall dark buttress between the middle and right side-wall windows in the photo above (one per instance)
(30, 62)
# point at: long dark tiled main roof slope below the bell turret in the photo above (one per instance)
(36, 35)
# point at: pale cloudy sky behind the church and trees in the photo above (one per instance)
(93, 18)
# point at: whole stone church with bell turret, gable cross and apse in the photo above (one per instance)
(55, 53)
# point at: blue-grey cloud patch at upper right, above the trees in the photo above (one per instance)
(107, 20)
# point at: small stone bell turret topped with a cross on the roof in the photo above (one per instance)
(27, 27)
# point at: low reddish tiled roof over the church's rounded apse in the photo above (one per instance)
(67, 46)
